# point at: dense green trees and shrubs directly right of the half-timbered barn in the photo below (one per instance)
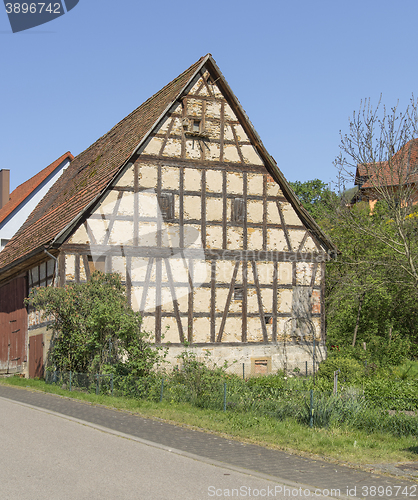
(366, 300)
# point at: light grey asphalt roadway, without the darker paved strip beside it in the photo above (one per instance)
(48, 456)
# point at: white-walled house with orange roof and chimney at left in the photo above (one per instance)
(16, 206)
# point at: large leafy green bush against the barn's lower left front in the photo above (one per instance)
(94, 327)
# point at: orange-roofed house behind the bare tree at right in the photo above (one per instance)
(396, 177)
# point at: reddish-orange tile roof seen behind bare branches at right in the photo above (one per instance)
(401, 169)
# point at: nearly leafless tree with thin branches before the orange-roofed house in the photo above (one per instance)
(379, 151)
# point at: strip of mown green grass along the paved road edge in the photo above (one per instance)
(340, 444)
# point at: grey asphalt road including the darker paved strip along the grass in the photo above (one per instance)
(57, 447)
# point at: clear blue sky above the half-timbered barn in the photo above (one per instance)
(299, 68)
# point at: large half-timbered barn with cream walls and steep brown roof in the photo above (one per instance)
(182, 199)
